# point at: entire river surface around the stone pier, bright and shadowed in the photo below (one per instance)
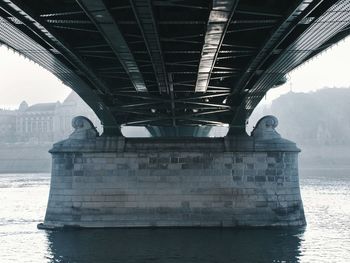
(326, 238)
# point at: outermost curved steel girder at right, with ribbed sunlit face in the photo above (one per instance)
(332, 21)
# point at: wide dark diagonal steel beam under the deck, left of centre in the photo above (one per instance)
(104, 22)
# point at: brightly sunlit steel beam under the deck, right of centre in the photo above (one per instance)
(218, 22)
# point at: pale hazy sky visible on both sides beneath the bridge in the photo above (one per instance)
(21, 79)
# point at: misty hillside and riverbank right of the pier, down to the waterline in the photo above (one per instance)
(319, 122)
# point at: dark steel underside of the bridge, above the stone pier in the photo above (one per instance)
(177, 67)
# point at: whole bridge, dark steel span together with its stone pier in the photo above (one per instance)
(177, 68)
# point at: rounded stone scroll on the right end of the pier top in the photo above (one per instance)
(265, 128)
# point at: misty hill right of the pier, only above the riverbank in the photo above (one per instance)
(321, 117)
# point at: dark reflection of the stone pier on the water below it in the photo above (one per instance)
(175, 245)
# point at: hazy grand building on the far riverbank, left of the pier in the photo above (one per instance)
(42, 122)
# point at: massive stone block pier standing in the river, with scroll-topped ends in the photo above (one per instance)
(174, 182)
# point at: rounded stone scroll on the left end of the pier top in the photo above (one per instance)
(83, 129)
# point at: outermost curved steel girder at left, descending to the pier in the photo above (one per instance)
(65, 70)
